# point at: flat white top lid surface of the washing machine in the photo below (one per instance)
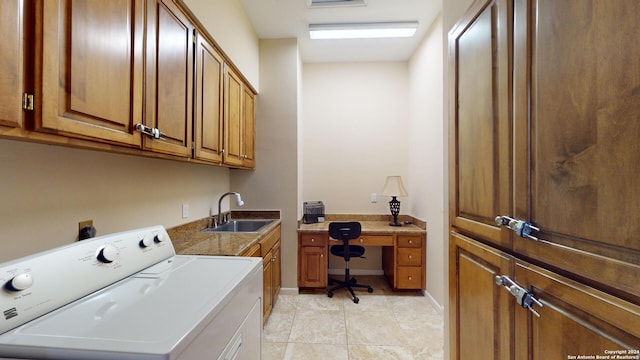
(152, 312)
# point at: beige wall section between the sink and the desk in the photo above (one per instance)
(274, 183)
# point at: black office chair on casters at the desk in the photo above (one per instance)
(346, 231)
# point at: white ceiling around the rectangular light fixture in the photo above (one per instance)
(274, 19)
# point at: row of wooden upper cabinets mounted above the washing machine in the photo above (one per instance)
(104, 73)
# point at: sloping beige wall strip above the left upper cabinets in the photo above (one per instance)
(229, 25)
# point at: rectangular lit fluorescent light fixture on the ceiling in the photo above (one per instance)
(363, 30)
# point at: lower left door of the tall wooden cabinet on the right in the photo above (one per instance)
(481, 313)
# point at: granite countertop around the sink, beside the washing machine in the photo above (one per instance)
(188, 239)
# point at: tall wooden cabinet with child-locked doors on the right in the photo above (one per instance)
(544, 125)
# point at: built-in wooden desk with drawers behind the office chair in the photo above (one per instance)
(403, 253)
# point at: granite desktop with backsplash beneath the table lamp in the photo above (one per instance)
(370, 224)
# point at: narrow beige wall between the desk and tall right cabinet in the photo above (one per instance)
(426, 154)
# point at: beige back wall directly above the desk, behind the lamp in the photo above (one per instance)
(354, 135)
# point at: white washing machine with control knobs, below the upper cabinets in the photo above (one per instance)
(128, 296)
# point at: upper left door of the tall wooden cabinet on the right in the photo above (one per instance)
(480, 150)
